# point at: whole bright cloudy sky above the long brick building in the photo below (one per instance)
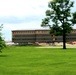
(22, 15)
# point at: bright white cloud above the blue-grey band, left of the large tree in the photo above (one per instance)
(21, 7)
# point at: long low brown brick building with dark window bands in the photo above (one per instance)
(41, 36)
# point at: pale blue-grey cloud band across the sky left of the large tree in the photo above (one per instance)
(17, 20)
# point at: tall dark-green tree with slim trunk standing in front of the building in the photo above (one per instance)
(60, 17)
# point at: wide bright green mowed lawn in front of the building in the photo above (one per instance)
(37, 61)
